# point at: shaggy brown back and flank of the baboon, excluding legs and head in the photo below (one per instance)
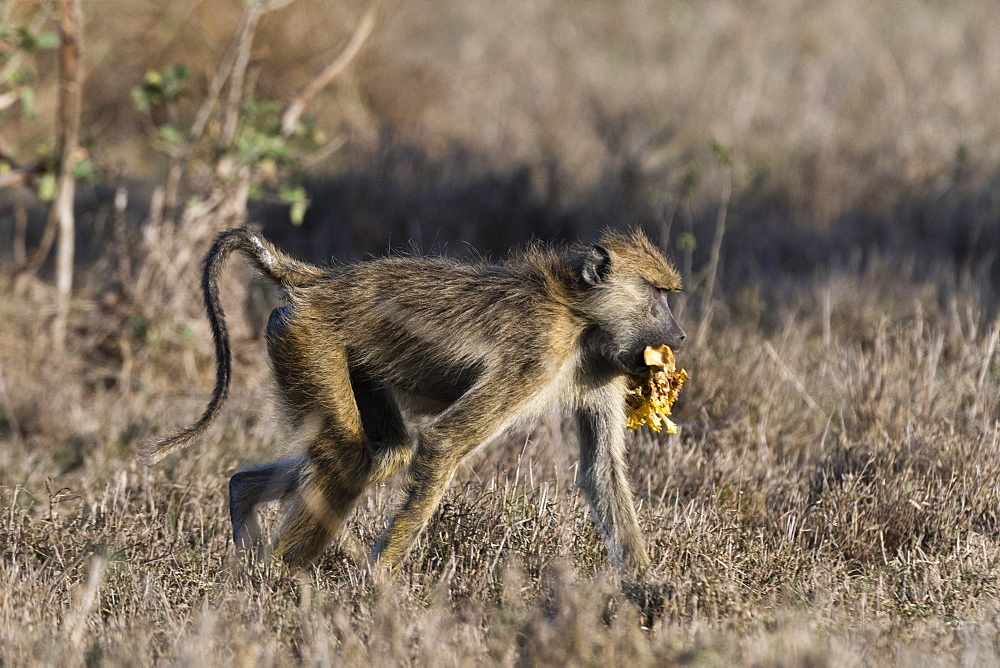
(422, 322)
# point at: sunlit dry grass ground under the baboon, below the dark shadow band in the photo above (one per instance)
(831, 498)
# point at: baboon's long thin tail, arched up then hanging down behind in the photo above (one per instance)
(283, 269)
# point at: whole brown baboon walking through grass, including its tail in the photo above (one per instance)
(481, 347)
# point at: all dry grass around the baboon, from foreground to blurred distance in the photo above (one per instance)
(832, 497)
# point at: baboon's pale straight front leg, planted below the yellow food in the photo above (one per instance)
(604, 479)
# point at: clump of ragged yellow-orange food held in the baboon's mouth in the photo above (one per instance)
(650, 402)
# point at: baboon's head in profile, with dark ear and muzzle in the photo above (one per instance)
(627, 282)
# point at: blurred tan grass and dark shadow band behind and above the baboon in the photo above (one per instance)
(824, 129)
